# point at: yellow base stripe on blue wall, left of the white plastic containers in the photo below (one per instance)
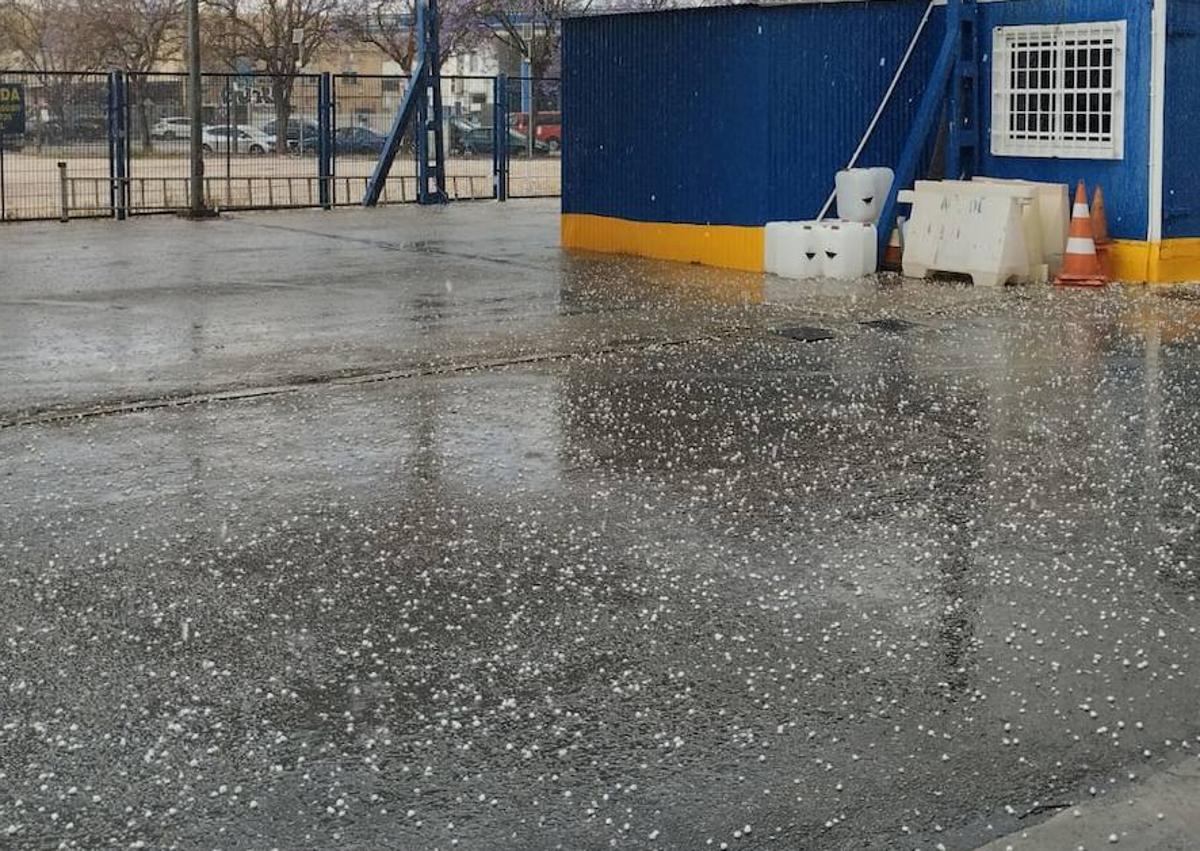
(715, 245)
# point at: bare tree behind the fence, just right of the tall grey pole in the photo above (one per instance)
(278, 37)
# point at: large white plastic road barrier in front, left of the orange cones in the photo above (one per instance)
(973, 230)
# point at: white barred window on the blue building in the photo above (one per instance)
(1059, 91)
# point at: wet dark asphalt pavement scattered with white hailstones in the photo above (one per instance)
(520, 550)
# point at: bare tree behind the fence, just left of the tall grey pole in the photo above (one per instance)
(136, 37)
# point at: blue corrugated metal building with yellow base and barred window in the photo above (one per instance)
(688, 130)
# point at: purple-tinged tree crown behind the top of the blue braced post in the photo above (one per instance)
(391, 27)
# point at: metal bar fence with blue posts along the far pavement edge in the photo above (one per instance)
(117, 145)
